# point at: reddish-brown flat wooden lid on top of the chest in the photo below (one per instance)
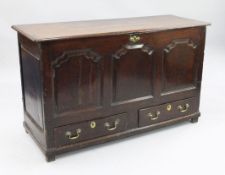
(78, 29)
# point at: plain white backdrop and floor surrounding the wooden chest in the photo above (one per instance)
(181, 149)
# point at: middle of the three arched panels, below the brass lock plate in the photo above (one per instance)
(132, 73)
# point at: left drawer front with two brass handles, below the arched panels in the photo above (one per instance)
(71, 134)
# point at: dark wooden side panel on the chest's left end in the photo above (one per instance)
(31, 80)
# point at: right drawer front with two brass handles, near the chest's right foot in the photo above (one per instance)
(156, 114)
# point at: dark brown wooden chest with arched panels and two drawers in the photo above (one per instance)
(90, 82)
